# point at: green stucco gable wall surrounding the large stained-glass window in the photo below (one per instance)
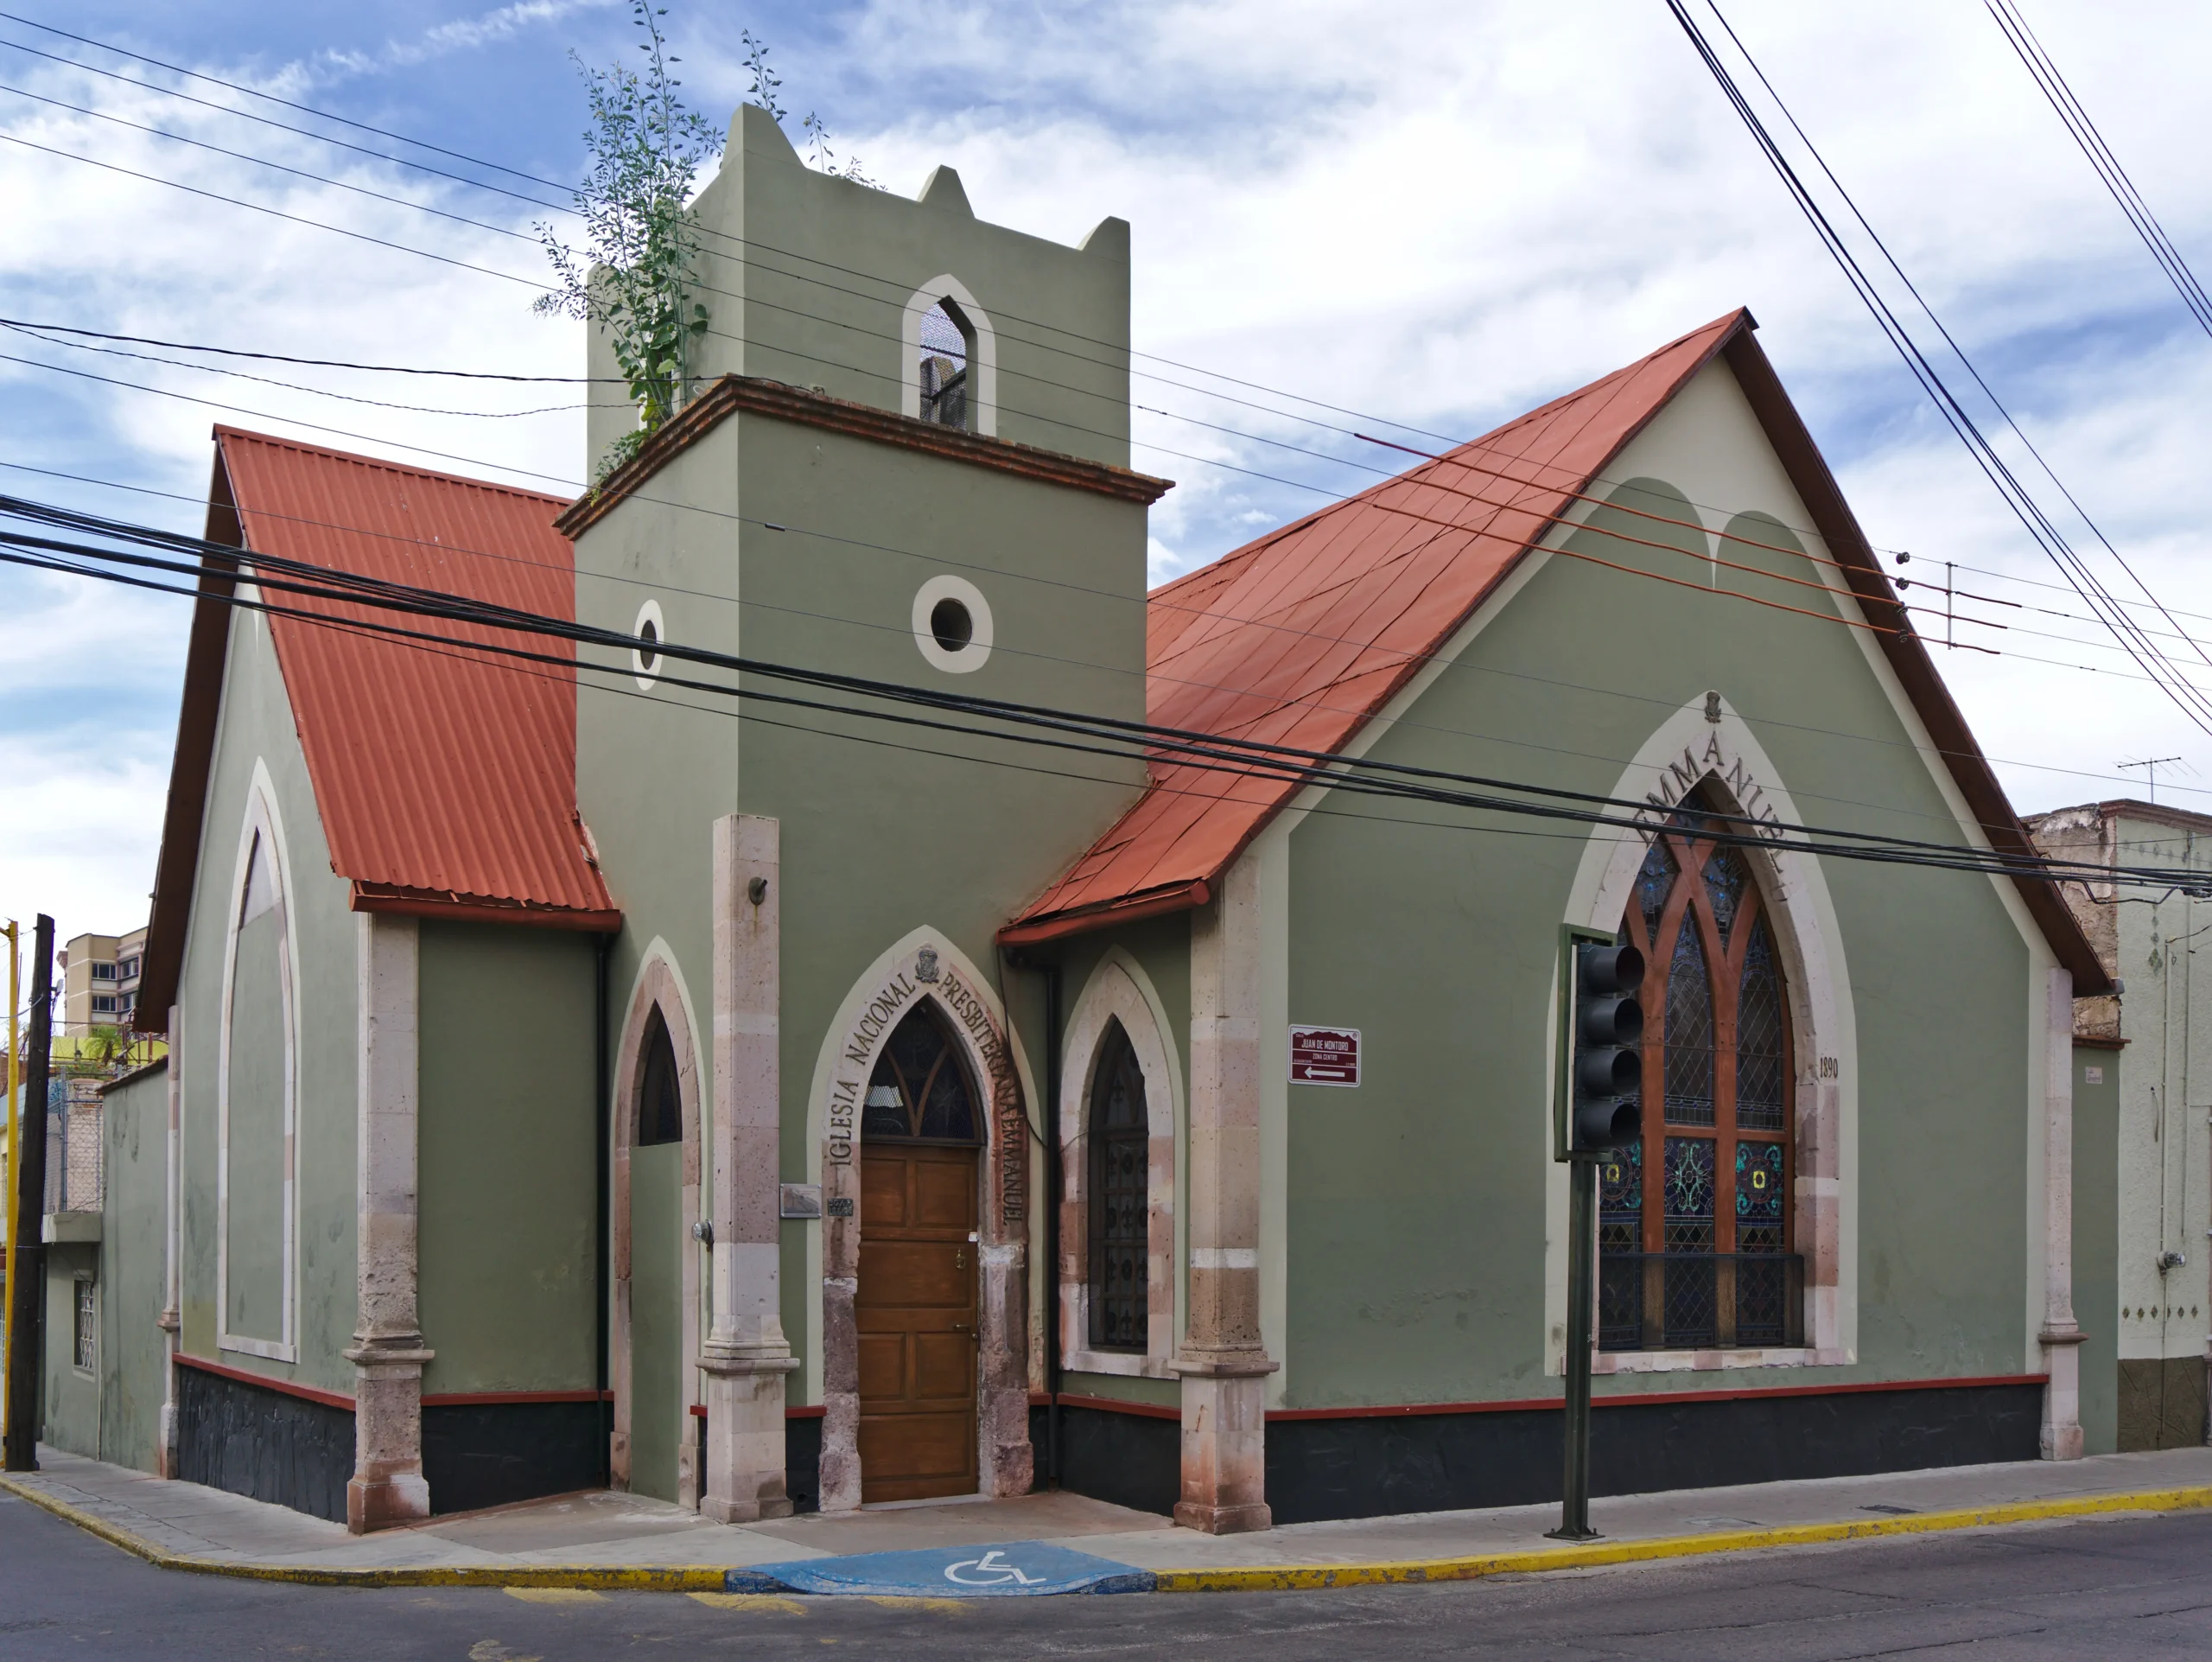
(1417, 1203)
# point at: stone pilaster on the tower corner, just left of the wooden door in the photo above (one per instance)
(744, 1353)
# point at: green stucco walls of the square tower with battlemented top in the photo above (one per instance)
(806, 548)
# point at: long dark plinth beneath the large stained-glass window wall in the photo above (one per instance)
(1377, 1466)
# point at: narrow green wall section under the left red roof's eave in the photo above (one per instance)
(505, 1139)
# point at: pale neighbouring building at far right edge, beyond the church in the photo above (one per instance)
(2142, 1046)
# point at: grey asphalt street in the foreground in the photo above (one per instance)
(2129, 1588)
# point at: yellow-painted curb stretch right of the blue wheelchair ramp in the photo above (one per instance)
(1631, 1552)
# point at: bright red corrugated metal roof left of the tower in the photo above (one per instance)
(444, 776)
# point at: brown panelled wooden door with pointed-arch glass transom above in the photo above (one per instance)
(917, 1309)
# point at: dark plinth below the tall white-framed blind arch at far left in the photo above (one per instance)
(264, 1444)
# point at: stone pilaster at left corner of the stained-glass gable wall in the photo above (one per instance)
(1224, 1364)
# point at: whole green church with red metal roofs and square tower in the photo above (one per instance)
(452, 953)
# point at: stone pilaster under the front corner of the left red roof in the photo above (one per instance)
(388, 1338)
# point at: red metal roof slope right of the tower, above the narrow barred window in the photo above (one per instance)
(1304, 636)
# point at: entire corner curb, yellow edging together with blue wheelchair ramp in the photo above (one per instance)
(835, 1577)
